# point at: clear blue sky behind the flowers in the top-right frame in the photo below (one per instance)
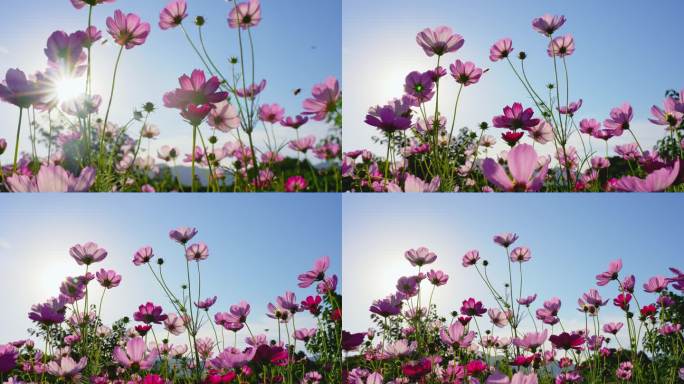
(624, 52)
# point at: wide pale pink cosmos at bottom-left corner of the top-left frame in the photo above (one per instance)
(52, 178)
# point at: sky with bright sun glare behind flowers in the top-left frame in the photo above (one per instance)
(297, 45)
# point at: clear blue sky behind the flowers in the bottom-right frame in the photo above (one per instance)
(572, 239)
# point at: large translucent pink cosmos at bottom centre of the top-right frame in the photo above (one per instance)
(522, 165)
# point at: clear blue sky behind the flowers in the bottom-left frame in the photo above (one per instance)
(257, 247)
